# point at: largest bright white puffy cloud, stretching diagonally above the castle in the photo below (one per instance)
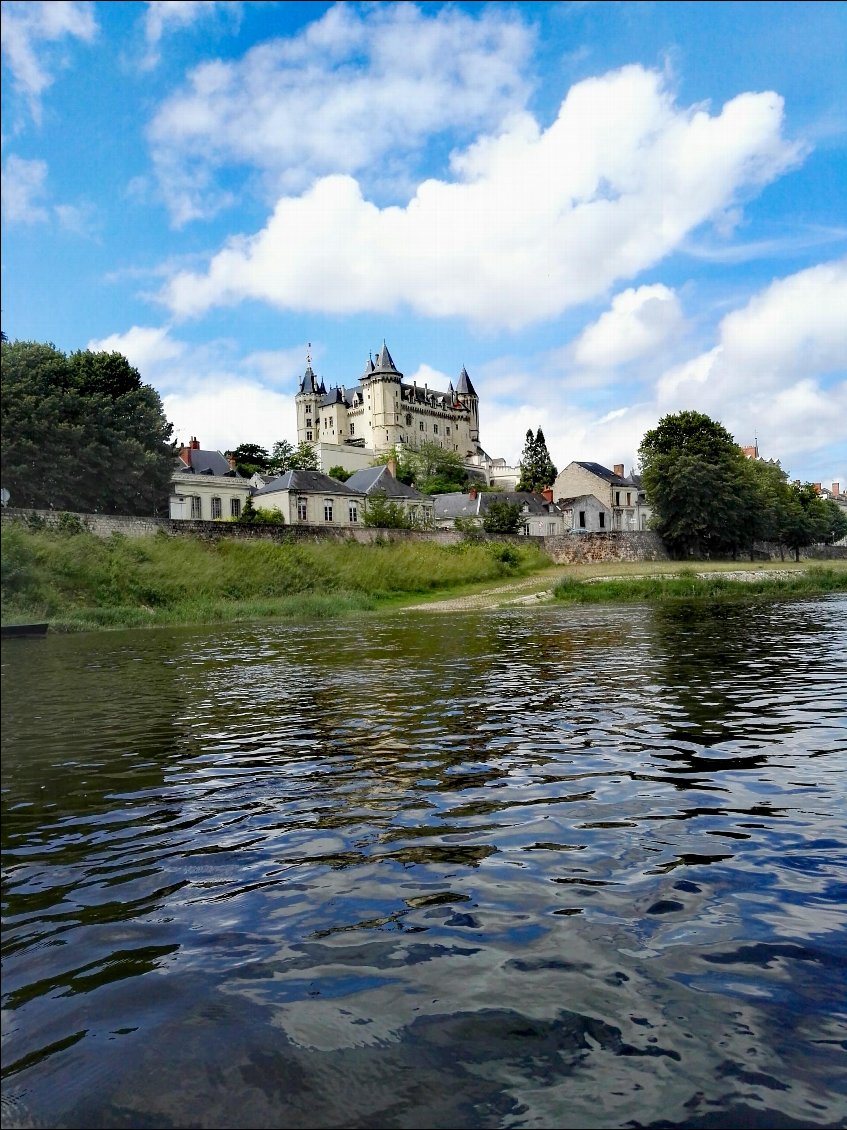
(535, 221)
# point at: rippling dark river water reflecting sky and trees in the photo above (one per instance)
(530, 867)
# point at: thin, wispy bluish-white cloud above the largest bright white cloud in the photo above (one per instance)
(356, 92)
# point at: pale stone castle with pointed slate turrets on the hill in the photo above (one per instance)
(383, 413)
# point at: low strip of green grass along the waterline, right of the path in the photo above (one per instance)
(687, 585)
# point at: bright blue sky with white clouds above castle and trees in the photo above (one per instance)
(607, 212)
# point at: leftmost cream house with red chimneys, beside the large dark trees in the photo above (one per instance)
(206, 485)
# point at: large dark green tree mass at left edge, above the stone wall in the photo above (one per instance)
(82, 433)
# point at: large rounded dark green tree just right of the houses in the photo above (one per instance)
(695, 477)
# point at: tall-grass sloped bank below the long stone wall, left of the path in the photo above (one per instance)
(80, 583)
